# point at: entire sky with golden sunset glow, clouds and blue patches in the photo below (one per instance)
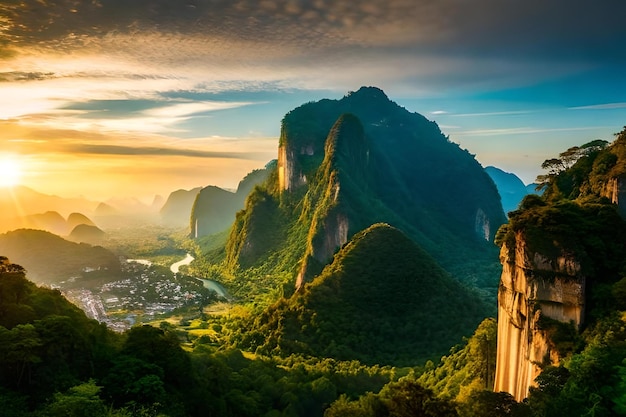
(103, 98)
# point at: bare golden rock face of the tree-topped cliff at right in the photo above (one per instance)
(532, 286)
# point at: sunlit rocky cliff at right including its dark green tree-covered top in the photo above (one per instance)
(559, 261)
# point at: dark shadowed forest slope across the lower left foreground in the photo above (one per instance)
(56, 362)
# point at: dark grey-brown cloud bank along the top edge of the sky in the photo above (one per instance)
(524, 26)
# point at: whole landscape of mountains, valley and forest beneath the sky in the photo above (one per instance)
(355, 278)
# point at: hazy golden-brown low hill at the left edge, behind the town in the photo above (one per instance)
(49, 258)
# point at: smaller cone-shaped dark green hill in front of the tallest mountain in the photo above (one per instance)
(383, 299)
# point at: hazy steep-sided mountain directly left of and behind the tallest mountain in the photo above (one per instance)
(214, 208)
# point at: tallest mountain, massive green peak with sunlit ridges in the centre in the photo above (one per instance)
(346, 164)
